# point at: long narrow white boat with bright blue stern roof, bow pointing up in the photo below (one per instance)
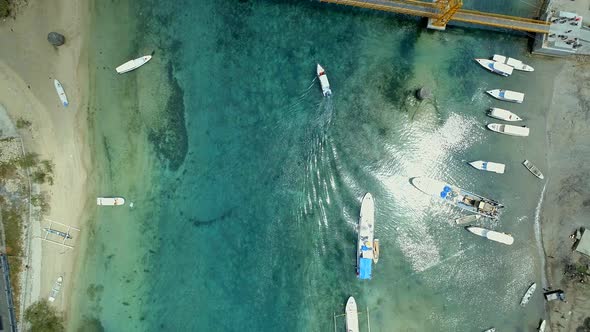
(365, 240)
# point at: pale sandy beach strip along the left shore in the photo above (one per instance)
(27, 69)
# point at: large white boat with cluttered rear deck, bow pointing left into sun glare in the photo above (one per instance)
(458, 197)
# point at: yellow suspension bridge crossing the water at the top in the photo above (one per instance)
(442, 11)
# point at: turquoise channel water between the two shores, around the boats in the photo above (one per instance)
(246, 181)
